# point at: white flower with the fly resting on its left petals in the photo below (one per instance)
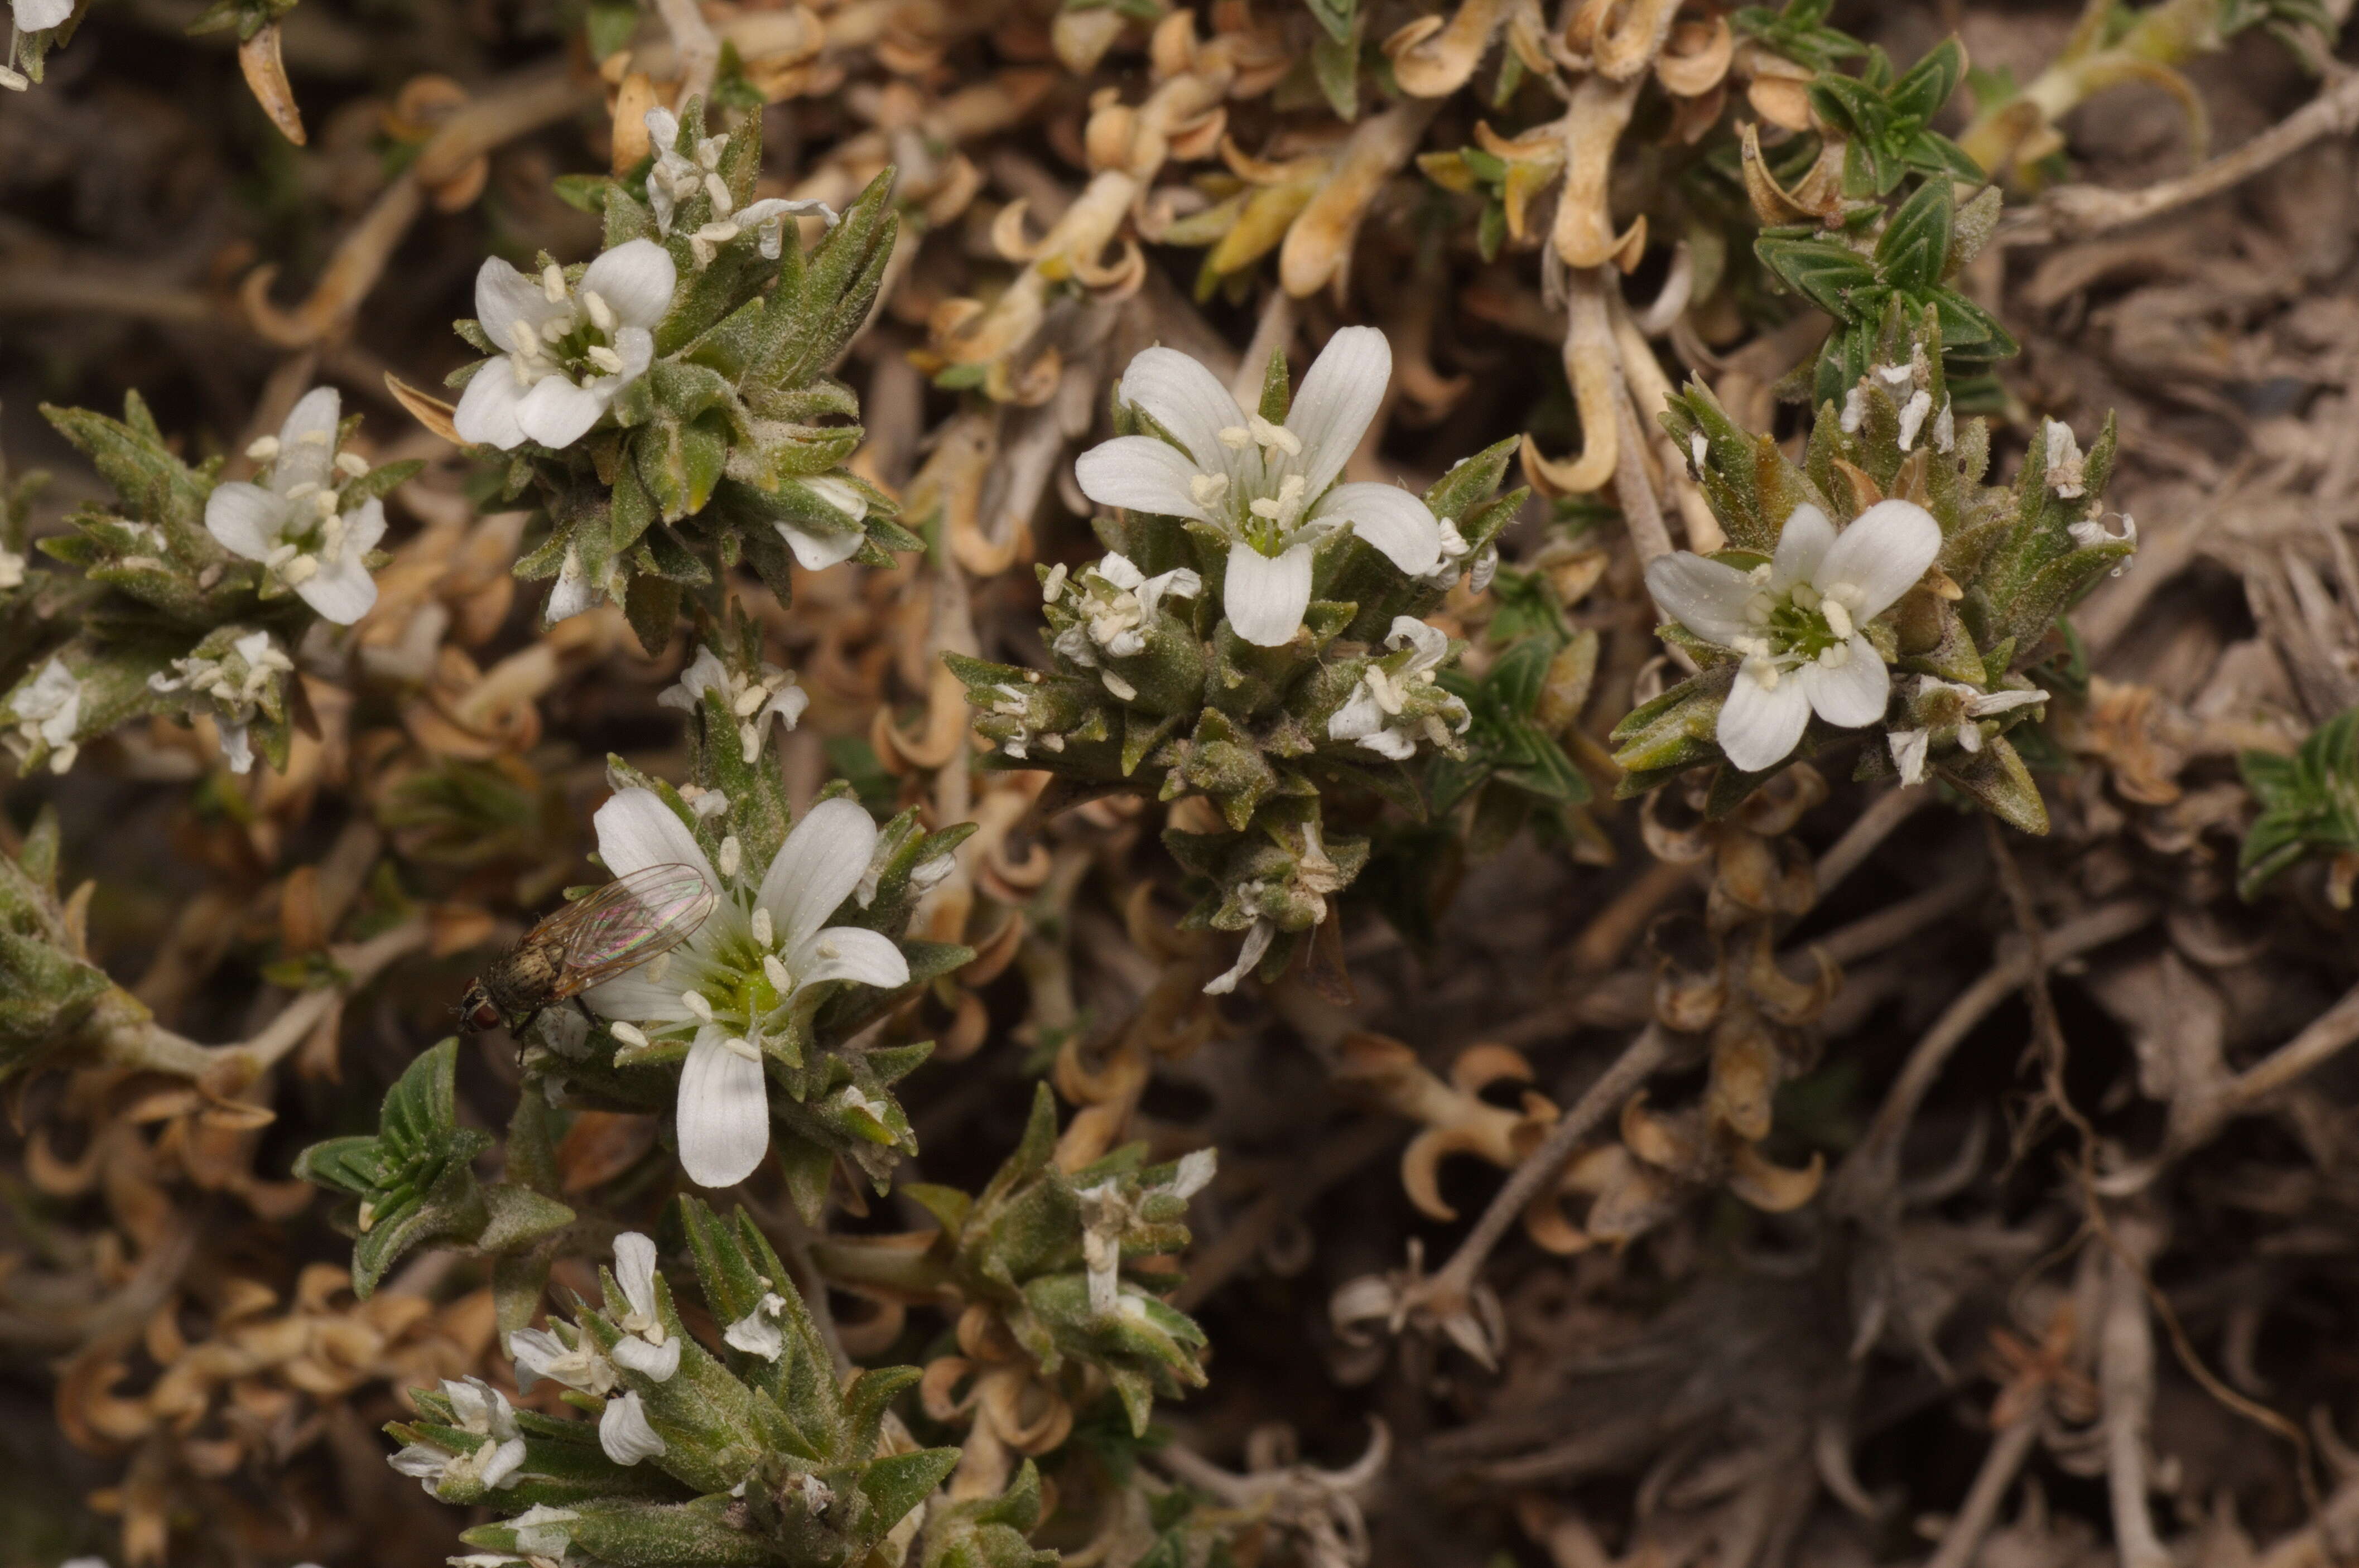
(756, 958)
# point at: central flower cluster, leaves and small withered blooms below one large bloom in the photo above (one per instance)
(1254, 633)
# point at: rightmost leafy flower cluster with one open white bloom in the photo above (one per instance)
(1801, 626)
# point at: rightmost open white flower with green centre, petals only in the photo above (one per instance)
(1799, 621)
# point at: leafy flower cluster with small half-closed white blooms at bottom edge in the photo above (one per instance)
(737, 1454)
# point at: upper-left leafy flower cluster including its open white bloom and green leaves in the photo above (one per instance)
(671, 402)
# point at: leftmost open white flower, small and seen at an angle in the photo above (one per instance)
(296, 522)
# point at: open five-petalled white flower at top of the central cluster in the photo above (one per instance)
(1268, 487)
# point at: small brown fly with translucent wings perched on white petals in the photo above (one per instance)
(586, 944)
